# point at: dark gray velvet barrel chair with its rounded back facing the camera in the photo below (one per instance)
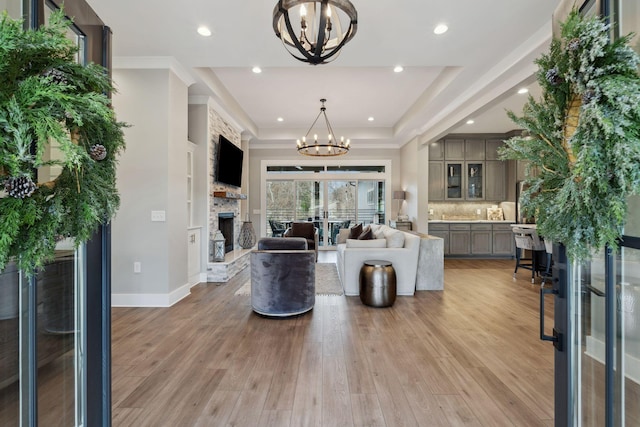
(283, 277)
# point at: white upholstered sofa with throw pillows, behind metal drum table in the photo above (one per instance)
(400, 249)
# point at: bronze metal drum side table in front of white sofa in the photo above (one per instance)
(377, 283)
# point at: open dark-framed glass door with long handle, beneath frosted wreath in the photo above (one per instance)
(597, 334)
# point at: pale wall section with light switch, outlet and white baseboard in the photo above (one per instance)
(151, 177)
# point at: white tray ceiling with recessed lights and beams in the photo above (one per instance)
(472, 71)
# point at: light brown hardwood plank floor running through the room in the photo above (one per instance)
(469, 355)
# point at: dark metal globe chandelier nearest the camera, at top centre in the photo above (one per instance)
(312, 38)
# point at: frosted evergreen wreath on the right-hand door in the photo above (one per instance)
(582, 138)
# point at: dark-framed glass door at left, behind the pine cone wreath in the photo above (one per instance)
(55, 326)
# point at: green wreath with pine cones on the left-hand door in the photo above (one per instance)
(46, 97)
